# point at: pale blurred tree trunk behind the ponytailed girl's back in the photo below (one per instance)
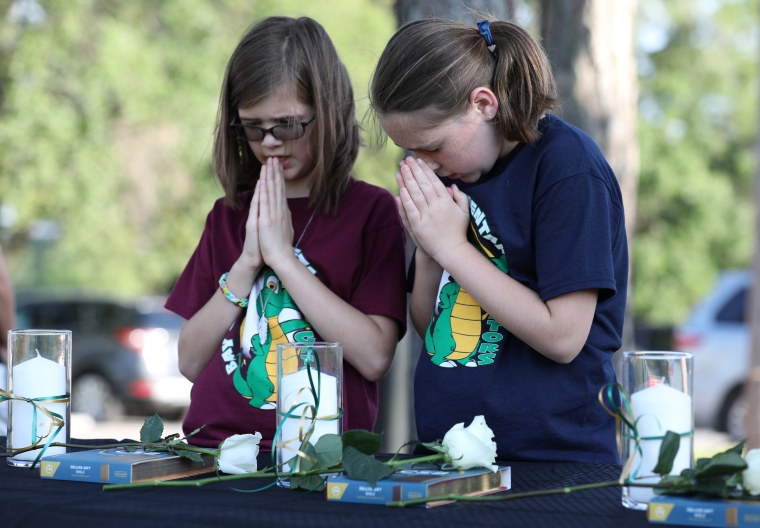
(591, 46)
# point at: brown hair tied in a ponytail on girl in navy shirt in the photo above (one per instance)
(435, 64)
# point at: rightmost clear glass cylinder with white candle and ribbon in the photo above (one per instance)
(659, 389)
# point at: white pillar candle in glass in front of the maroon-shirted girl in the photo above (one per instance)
(293, 426)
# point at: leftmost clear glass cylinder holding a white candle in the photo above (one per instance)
(39, 376)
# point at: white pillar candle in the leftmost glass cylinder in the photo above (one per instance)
(37, 378)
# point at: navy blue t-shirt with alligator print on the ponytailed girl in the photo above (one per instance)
(551, 215)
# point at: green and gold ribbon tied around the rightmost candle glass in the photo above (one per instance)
(623, 414)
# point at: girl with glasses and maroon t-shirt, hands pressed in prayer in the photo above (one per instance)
(298, 250)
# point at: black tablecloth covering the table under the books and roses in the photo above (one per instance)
(26, 500)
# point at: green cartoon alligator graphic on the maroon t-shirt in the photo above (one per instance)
(280, 321)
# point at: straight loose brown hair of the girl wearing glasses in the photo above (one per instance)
(299, 55)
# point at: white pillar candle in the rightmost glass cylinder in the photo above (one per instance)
(658, 409)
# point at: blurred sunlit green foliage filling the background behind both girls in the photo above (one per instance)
(107, 113)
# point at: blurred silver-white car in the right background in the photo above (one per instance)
(717, 333)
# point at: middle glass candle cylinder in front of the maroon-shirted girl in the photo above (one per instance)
(309, 399)
